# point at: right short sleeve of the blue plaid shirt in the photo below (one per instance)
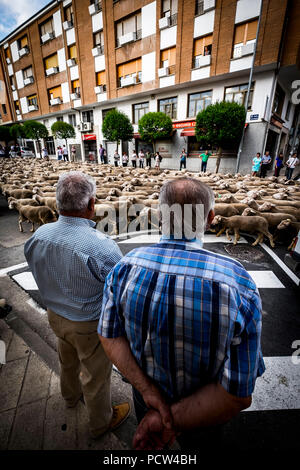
(244, 362)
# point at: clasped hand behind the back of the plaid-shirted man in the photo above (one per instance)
(151, 433)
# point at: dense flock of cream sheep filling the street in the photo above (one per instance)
(268, 207)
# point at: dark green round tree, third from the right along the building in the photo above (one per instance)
(116, 126)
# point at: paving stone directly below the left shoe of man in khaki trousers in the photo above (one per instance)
(60, 425)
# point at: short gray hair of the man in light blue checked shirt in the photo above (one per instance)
(74, 190)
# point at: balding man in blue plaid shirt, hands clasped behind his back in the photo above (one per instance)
(184, 326)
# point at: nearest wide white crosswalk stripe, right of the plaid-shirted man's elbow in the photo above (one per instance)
(279, 387)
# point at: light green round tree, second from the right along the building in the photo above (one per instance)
(154, 126)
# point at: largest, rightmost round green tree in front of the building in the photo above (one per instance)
(220, 125)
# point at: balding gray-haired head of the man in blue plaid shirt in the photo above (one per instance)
(184, 207)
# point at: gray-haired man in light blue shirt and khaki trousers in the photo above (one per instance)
(70, 260)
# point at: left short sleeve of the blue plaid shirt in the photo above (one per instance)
(111, 321)
